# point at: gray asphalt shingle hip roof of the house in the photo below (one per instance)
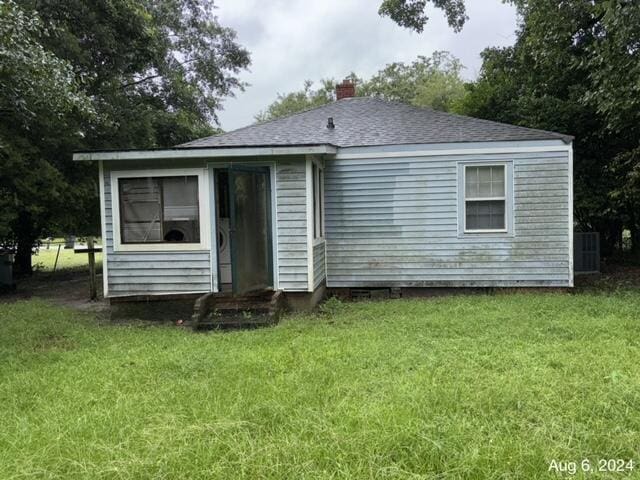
(364, 121)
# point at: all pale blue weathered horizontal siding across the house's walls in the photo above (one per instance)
(388, 222)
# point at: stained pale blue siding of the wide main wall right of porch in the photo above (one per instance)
(394, 222)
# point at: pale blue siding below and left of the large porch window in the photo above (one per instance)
(137, 273)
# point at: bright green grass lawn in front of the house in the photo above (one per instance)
(460, 387)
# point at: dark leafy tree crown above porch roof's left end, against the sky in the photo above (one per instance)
(153, 64)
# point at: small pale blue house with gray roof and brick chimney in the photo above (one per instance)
(360, 193)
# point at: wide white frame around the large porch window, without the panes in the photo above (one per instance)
(204, 211)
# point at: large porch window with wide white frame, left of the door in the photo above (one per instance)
(156, 210)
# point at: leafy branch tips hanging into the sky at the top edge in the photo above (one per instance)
(411, 13)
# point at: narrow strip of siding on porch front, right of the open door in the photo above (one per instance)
(291, 205)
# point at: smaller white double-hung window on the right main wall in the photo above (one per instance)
(485, 198)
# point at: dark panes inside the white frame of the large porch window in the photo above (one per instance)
(159, 209)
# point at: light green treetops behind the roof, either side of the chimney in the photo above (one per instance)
(426, 82)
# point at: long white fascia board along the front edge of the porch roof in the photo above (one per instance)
(186, 153)
